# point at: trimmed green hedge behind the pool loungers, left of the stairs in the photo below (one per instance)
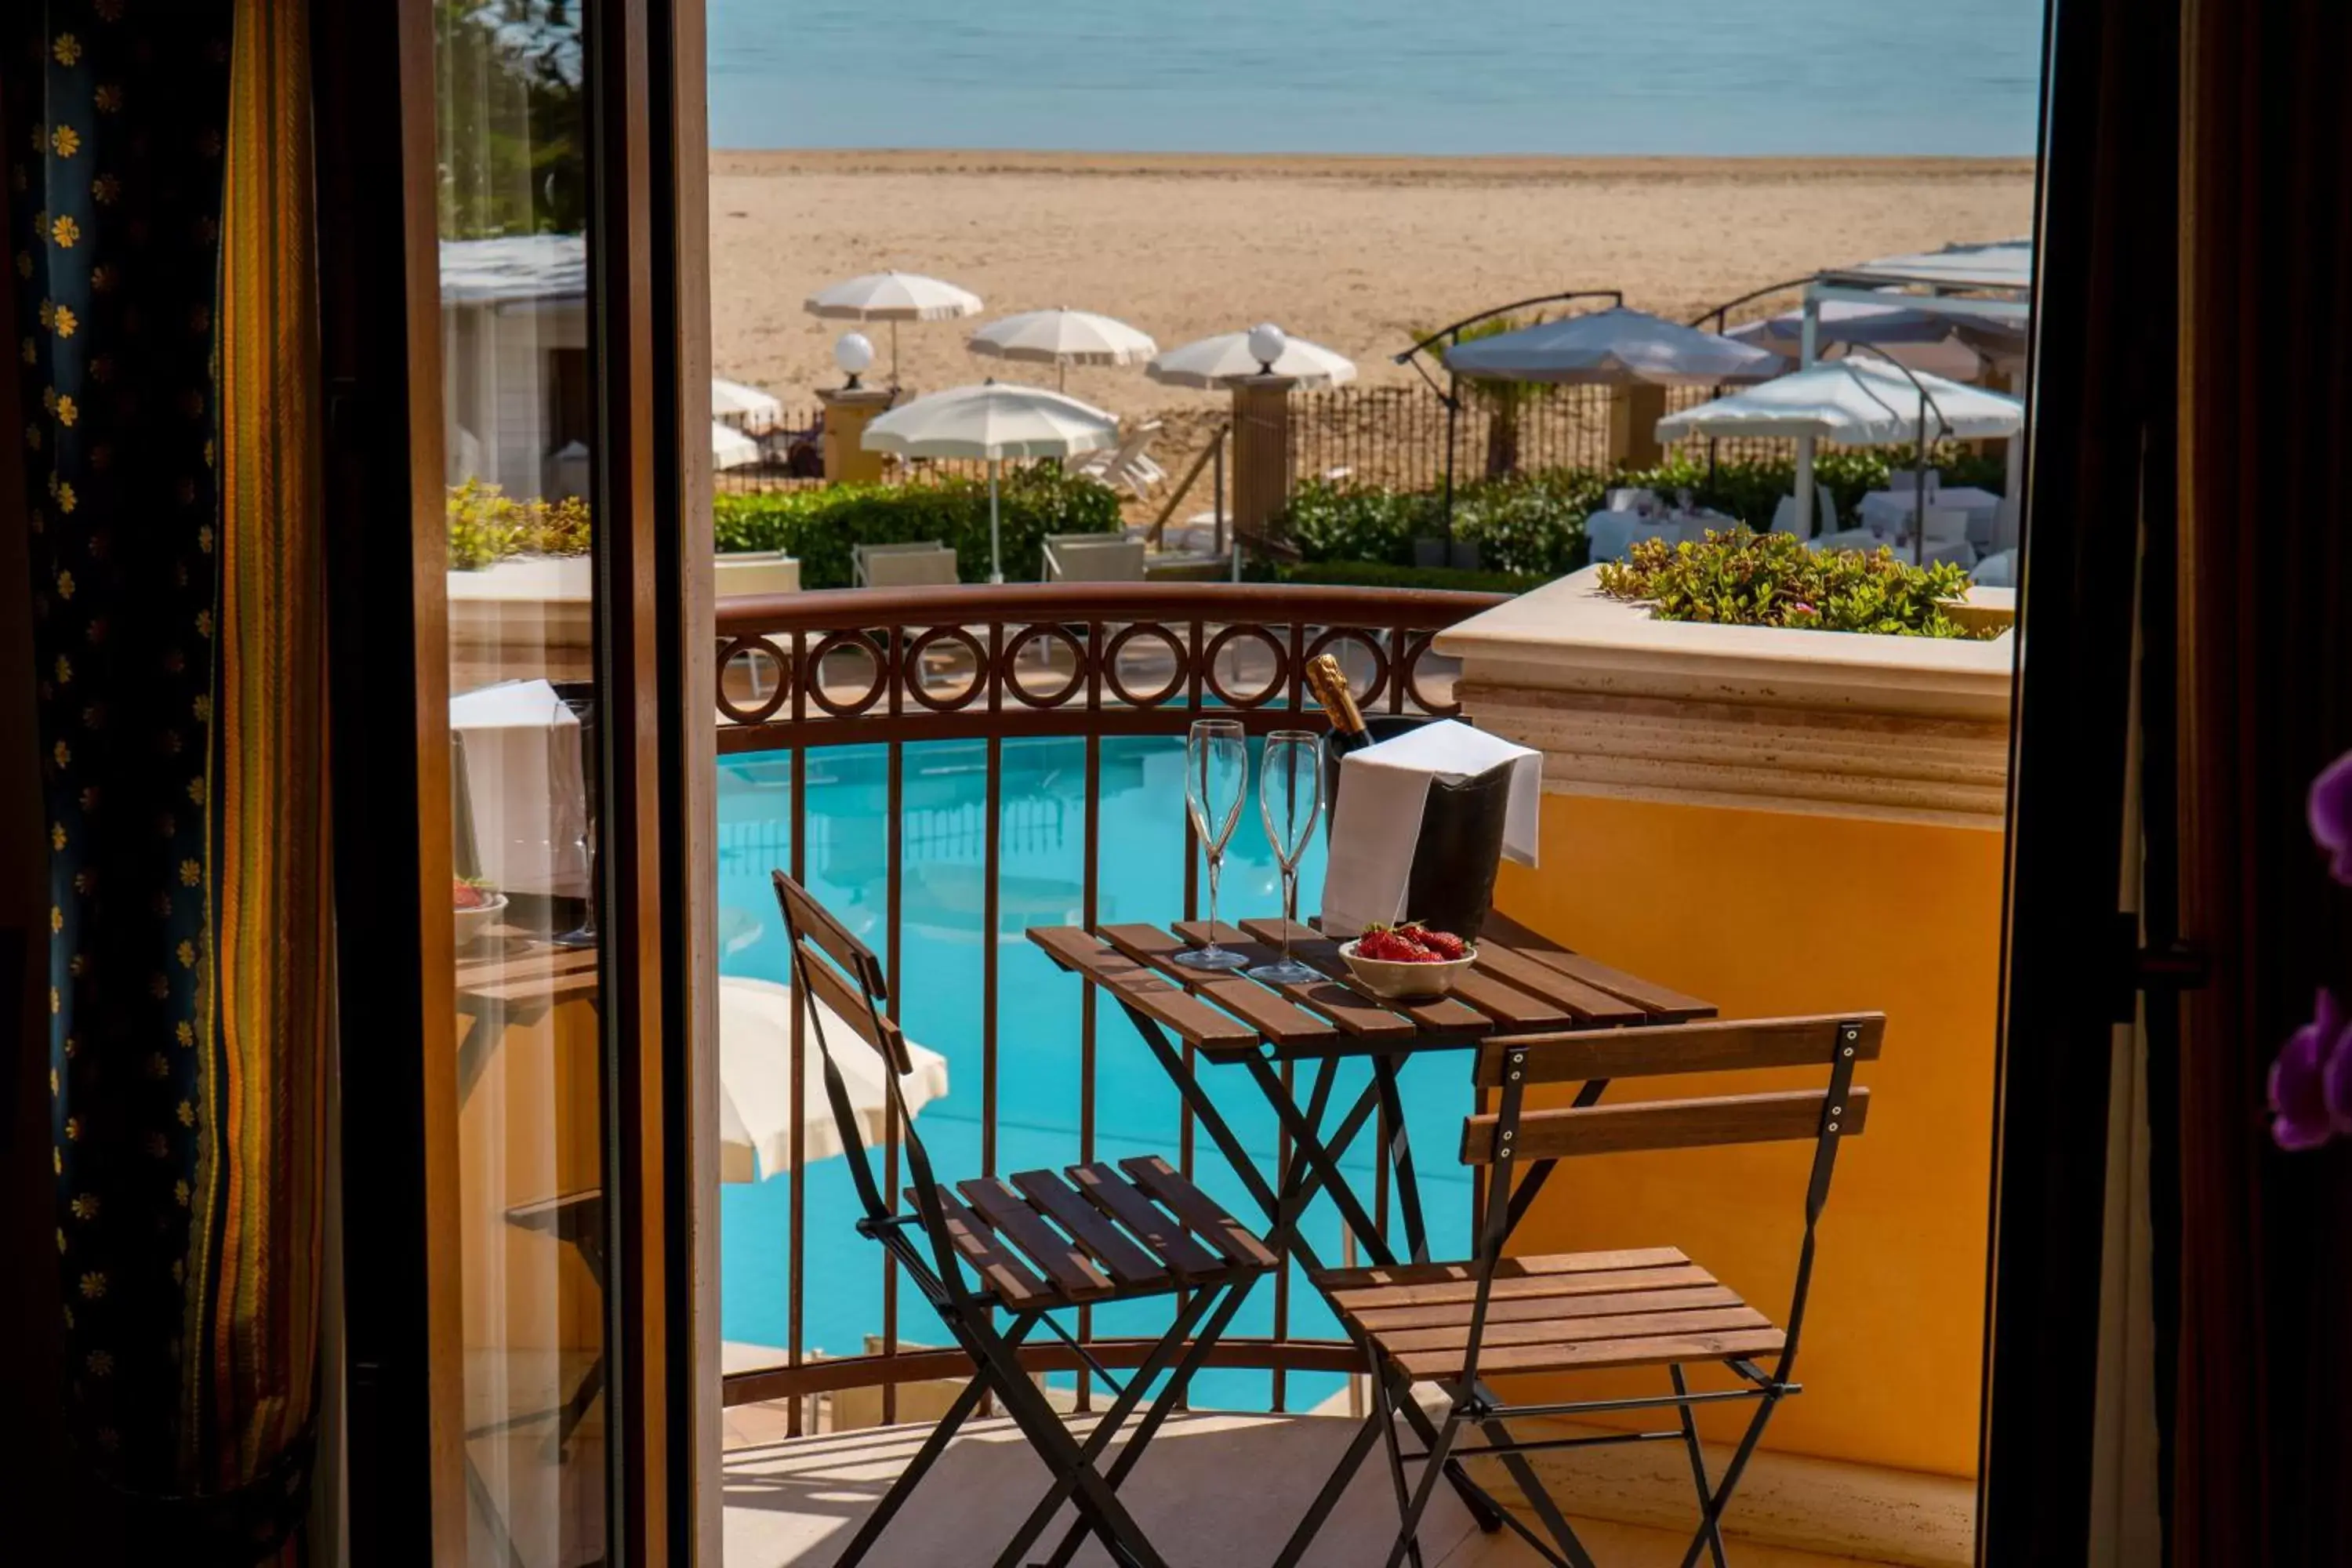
(822, 525)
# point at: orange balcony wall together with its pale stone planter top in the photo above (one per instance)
(1786, 824)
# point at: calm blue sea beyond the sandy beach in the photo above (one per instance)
(1382, 76)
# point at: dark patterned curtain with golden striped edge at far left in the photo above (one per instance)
(159, 222)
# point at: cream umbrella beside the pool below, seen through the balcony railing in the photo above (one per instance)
(756, 1083)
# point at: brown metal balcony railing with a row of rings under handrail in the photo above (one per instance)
(1083, 662)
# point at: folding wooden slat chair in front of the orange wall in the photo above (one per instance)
(1455, 1322)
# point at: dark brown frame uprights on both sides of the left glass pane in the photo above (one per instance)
(380, 304)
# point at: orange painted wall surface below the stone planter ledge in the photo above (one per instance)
(1768, 913)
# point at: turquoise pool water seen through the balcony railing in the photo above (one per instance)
(1038, 1014)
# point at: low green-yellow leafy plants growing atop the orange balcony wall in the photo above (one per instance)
(1775, 579)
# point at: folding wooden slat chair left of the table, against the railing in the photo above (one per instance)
(1027, 1249)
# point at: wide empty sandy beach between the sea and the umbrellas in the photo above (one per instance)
(1354, 253)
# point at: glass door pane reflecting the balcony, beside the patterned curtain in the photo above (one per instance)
(519, 406)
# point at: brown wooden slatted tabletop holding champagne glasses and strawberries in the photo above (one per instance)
(1523, 984)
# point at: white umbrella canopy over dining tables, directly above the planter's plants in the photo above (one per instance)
(1859, 403)
